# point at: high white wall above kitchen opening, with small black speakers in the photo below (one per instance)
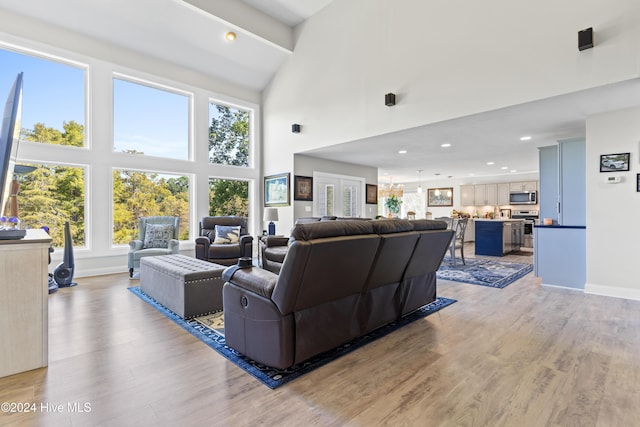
(442, 59)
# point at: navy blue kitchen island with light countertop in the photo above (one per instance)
(498, 237)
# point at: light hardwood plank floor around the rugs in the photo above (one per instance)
(524, 355)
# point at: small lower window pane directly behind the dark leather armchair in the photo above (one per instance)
(228, 197)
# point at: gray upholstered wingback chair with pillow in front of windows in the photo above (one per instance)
(158, 235)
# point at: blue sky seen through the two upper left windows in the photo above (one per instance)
(145, 119)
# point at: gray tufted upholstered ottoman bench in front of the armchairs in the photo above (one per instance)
(187, 286)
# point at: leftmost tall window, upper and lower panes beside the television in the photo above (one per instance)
(53, 112)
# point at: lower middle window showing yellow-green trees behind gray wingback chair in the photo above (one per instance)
(140, 194)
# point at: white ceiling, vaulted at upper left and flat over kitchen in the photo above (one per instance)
(191, 33)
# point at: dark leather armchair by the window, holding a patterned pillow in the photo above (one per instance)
(223, 253)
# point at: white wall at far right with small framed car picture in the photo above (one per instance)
(613, 231)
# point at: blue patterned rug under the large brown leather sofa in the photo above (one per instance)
(272, 377)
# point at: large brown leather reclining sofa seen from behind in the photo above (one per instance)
(339, 280)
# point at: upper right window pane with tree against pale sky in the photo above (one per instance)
(229, 132)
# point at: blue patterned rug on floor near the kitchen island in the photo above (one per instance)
(483, 271)
